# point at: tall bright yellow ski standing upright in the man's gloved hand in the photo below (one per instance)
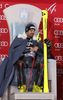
(44, 17)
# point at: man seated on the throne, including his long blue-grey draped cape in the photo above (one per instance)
(22, 53)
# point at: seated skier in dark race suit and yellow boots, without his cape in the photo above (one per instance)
(25, 63)
